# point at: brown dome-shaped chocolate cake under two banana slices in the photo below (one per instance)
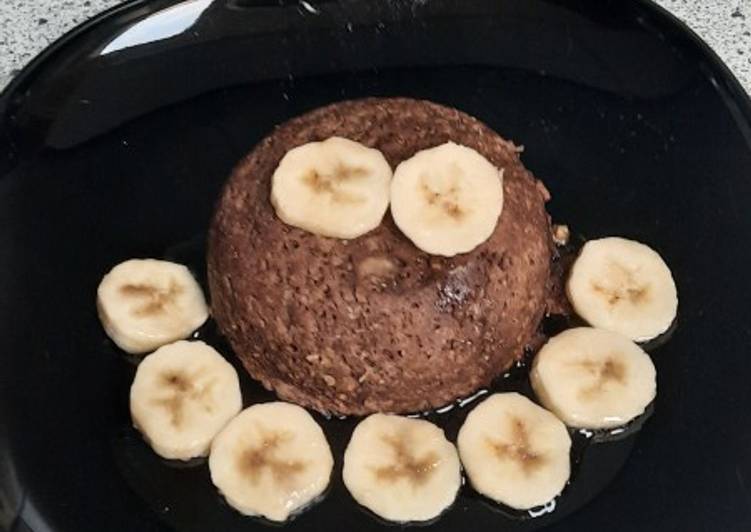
(374, 323)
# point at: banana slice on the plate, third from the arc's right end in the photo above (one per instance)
(514, 451)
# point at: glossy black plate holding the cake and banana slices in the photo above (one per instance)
(114, 143)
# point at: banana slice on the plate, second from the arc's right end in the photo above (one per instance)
(593, 378)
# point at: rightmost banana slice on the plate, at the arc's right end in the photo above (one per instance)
(623, 286)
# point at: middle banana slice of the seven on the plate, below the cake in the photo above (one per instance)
(401, 469)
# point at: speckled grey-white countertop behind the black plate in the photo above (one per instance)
(26, 27)
